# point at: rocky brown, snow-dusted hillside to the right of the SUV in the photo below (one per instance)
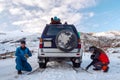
(103, 39)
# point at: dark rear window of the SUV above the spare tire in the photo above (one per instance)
(55, 29)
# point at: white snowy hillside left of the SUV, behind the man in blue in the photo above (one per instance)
(10, 40)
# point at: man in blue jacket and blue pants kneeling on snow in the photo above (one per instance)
(22, 53)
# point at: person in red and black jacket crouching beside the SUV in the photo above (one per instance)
(99, 59)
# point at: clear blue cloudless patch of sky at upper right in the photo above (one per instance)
(106, 16)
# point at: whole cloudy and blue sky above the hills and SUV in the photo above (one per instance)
(33, 15)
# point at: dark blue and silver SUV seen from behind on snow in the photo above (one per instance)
(60, 42)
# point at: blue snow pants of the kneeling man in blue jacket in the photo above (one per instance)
(22, 65)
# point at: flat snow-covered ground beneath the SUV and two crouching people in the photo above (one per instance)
(61, 71)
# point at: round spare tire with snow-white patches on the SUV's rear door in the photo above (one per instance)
(66, 40)
